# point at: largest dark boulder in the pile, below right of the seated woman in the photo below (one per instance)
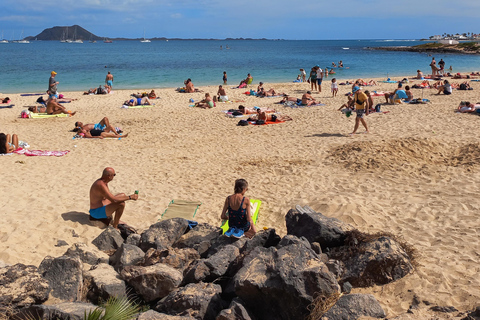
(281, 283)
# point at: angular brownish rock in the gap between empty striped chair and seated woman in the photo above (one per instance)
(199, 238)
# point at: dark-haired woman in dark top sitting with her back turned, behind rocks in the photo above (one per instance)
(237, 211)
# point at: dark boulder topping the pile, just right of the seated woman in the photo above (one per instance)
(315, 227)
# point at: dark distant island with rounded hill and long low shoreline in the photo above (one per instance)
(77, 33)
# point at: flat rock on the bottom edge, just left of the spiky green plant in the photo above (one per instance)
(66, 310)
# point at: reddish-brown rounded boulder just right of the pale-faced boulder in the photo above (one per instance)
(152, 282)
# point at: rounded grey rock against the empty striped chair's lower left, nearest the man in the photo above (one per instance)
(163, 234)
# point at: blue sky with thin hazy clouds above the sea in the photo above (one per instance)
(279, 19)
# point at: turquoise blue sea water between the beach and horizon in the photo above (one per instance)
(26, 67)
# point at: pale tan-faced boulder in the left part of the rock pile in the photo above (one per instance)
(103, 282)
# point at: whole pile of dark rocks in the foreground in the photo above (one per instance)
(200, 274)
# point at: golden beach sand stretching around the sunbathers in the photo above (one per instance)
(415, 175)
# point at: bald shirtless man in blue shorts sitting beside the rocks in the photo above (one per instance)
(103, 204)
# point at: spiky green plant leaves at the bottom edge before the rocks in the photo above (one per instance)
(114, 309)
